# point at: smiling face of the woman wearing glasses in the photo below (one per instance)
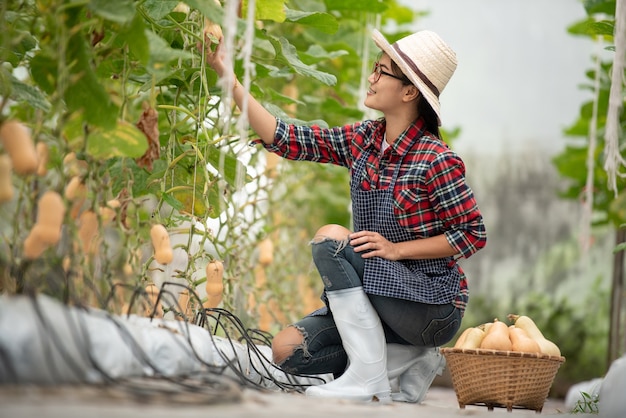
(385, 90)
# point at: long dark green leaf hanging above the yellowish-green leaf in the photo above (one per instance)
(86, 93)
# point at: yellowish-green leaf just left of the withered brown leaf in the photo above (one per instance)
(123, 141)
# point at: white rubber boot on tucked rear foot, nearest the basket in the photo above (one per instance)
(415, 369)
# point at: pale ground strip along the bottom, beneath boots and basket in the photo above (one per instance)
(93, 401)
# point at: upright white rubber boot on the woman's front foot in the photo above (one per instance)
(363, 339)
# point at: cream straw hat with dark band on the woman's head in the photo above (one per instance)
(425, 59)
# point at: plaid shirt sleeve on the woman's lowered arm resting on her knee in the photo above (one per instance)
(454, 203)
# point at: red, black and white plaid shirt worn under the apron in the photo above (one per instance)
(431, 196)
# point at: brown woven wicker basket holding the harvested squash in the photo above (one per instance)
(501, 378)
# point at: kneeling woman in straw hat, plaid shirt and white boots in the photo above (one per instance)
(393, 290)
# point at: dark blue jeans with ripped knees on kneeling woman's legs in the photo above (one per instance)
(404, 321)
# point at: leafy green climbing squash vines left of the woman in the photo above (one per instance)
(120, 97)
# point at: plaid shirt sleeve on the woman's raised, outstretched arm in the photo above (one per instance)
(313, 143)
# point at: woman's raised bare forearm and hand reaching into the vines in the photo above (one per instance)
(261, 121)
